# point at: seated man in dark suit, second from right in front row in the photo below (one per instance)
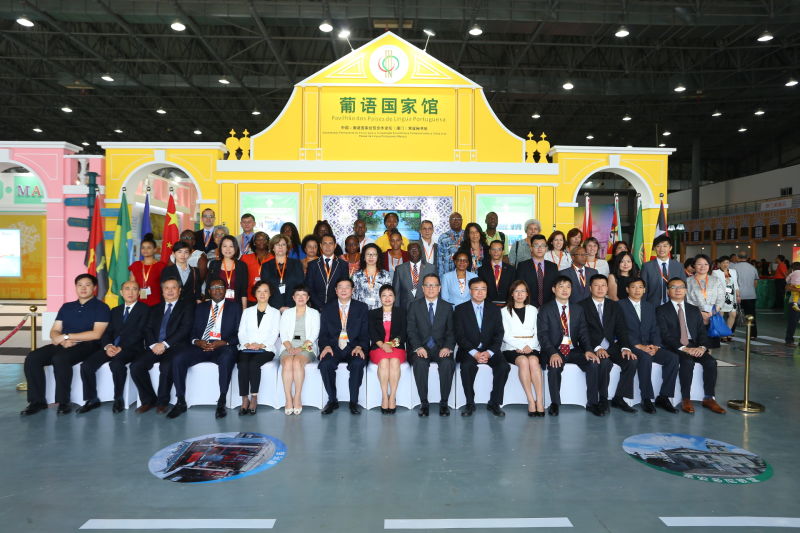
(644, 340)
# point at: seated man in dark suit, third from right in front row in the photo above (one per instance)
(609, 336)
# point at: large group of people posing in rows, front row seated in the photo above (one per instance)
(469, 298)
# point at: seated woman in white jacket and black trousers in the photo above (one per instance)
(258, 333)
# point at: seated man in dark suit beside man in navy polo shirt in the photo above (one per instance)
(122, 341)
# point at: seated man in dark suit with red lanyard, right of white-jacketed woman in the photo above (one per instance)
(563, 335)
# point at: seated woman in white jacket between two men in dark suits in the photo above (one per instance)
(521, 344)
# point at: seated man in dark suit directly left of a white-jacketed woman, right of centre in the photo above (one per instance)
(479, 334)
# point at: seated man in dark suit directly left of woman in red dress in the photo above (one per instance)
(343, 338)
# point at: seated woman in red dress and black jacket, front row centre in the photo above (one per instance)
(387, 332)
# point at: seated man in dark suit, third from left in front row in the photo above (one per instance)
(166, 333)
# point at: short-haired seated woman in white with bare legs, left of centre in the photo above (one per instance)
(299, 331)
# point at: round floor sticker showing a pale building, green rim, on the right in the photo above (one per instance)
(697, 458)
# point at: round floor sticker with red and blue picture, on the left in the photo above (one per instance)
(217, 457)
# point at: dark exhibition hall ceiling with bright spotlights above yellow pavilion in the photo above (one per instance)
(185, 70)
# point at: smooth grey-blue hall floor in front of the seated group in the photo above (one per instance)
(349, 473)
